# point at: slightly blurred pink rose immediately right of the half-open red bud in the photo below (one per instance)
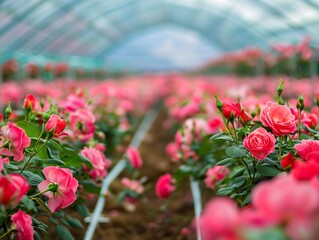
(82, 123)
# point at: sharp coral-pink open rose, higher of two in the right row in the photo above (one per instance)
(278, 118)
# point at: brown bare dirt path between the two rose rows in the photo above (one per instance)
(153, 219)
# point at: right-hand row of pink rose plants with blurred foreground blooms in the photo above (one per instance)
(257, 156)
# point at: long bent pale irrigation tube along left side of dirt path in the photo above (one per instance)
(119, 167)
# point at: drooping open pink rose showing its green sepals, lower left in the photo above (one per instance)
(66, 186)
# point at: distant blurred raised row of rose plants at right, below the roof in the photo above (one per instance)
(291, 59)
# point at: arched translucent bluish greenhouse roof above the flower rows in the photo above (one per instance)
(93, 28)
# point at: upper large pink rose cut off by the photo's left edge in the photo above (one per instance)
(18, 140)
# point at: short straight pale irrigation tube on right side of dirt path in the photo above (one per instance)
(197, 206)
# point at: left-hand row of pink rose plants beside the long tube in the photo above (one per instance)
(56, 146)
